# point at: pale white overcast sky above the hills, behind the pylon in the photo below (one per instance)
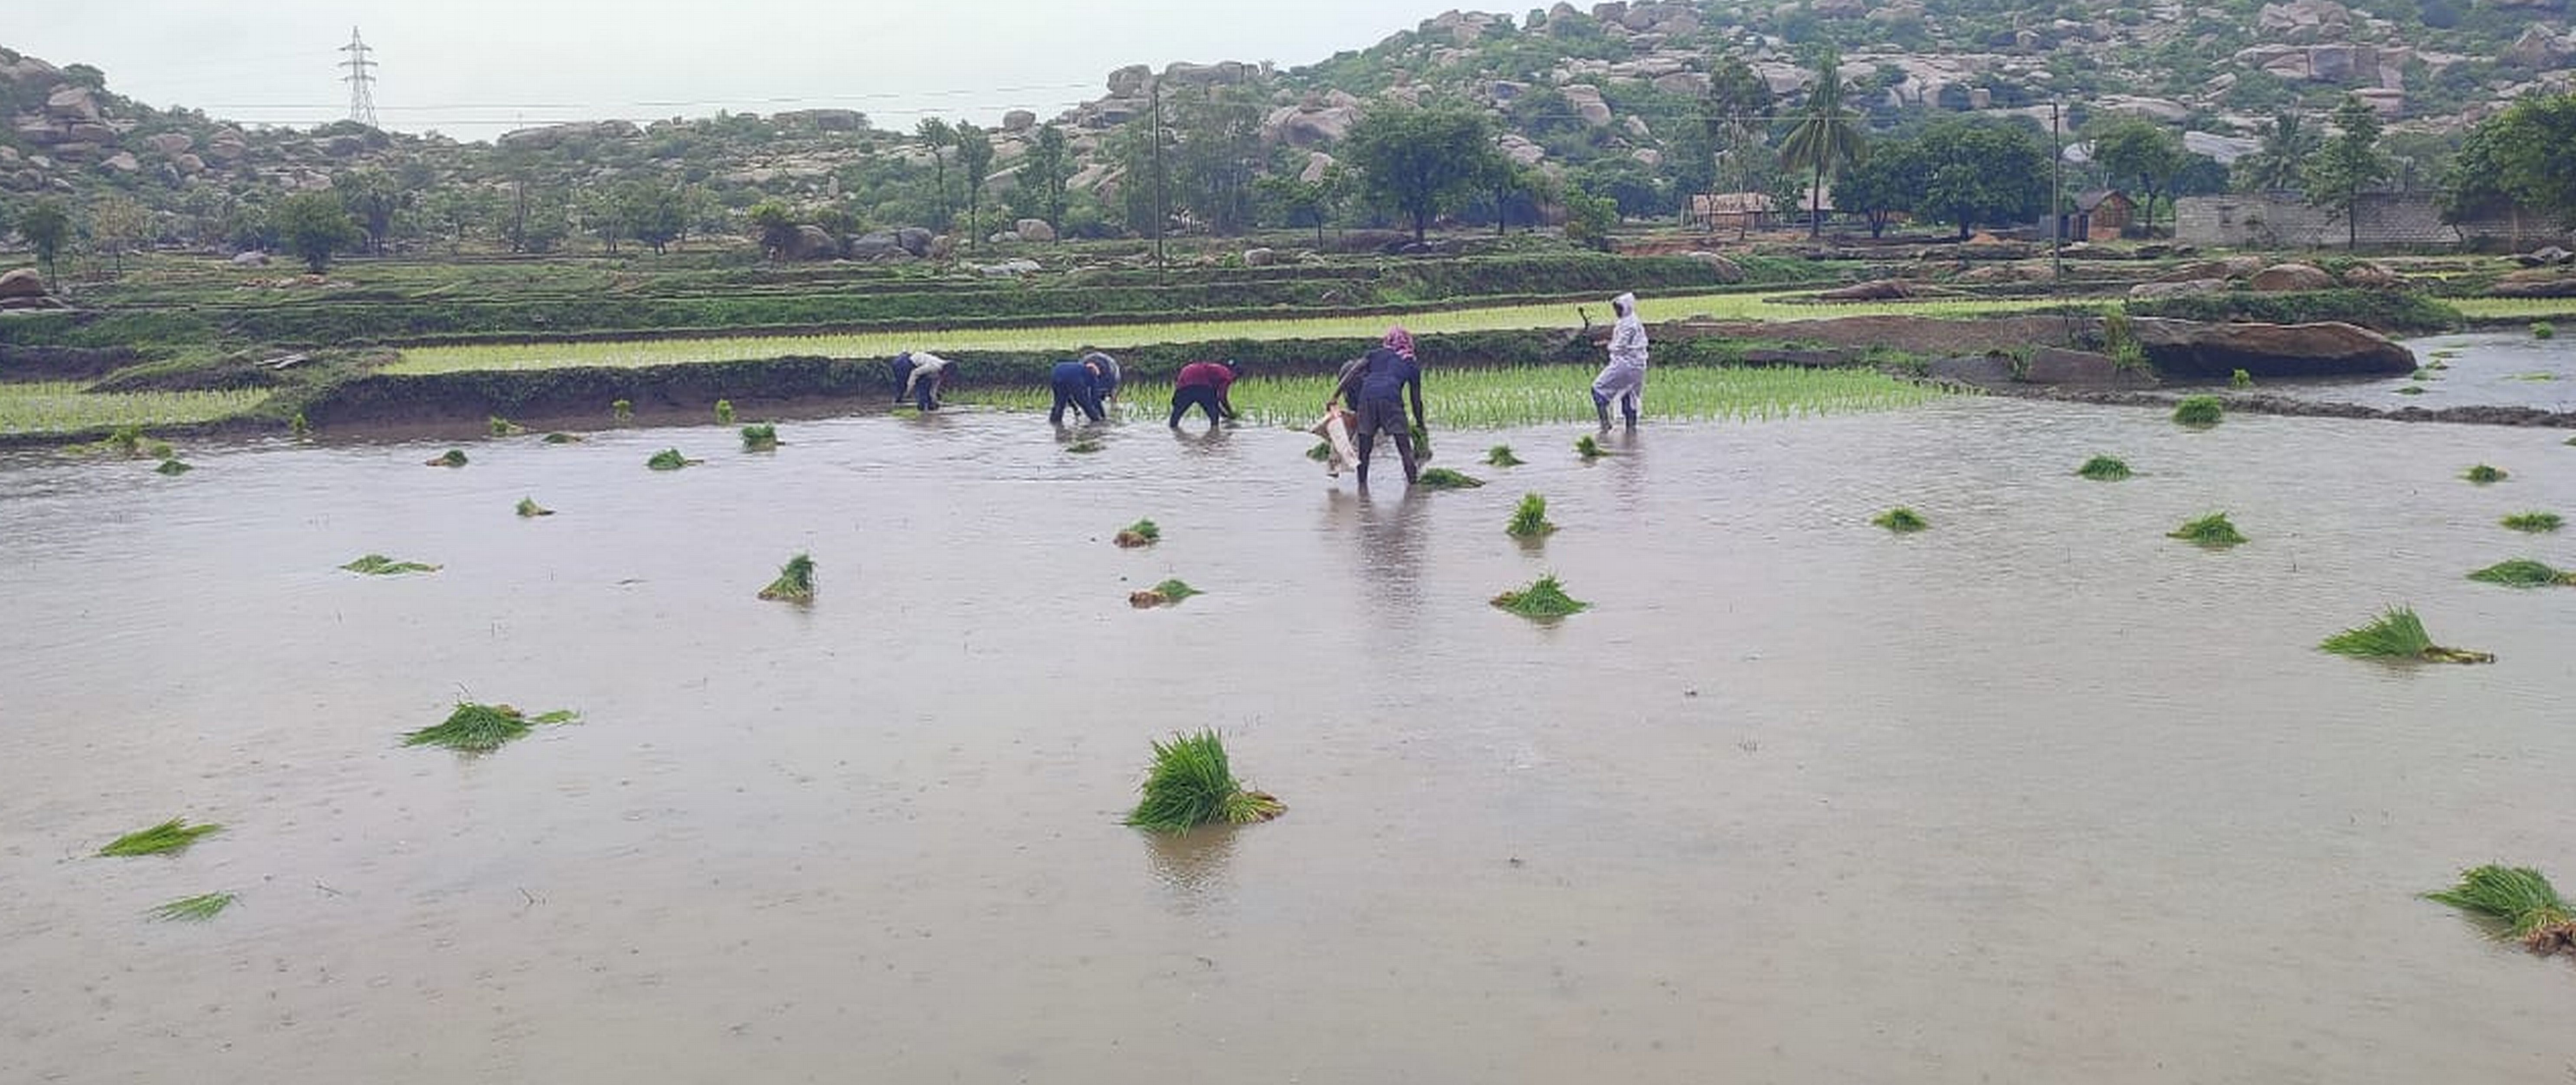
(478, 68)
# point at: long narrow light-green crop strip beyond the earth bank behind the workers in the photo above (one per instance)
(668, 352)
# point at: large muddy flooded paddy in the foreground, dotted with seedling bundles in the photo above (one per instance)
(2034, 795)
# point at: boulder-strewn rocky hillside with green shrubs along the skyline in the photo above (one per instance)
(1606, 97)
